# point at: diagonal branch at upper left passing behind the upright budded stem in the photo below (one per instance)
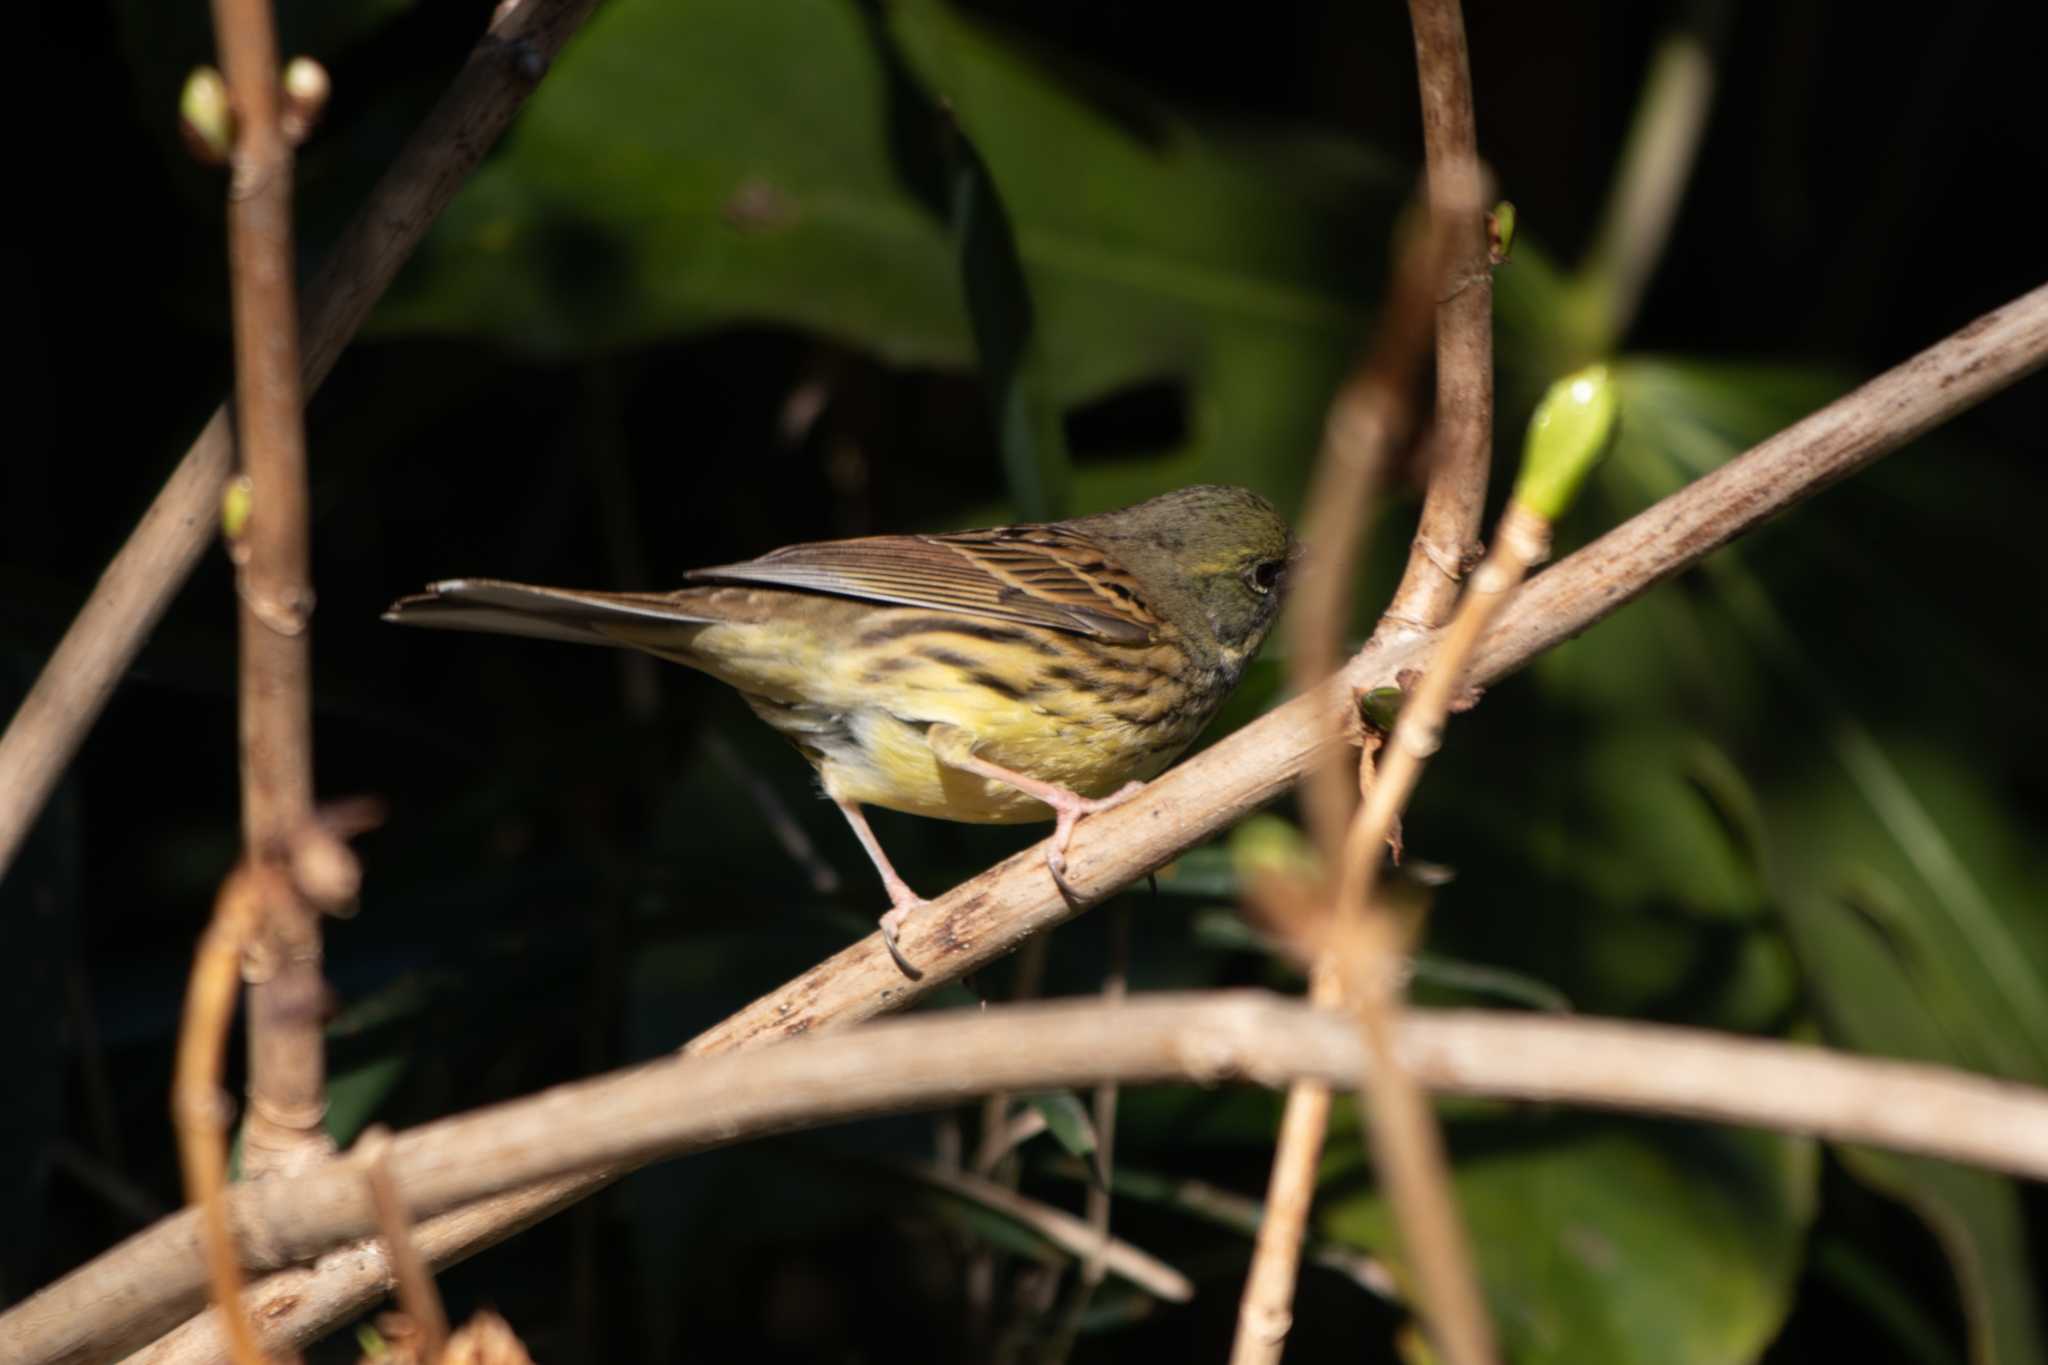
(167, 543)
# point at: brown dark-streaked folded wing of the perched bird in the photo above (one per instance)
(1035, 576)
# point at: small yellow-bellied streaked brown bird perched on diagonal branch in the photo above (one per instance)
(988, 676)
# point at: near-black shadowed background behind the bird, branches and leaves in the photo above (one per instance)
(570, 877)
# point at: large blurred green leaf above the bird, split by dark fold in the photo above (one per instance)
(773, 169)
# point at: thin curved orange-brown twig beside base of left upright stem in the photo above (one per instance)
(200, 1104)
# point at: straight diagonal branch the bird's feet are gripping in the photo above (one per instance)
(1015, 901)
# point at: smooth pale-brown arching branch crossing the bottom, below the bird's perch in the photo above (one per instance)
(935, 1061)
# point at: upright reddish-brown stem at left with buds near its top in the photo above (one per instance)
(288, 1067)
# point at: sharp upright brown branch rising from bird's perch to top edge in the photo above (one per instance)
(1447, 539)
